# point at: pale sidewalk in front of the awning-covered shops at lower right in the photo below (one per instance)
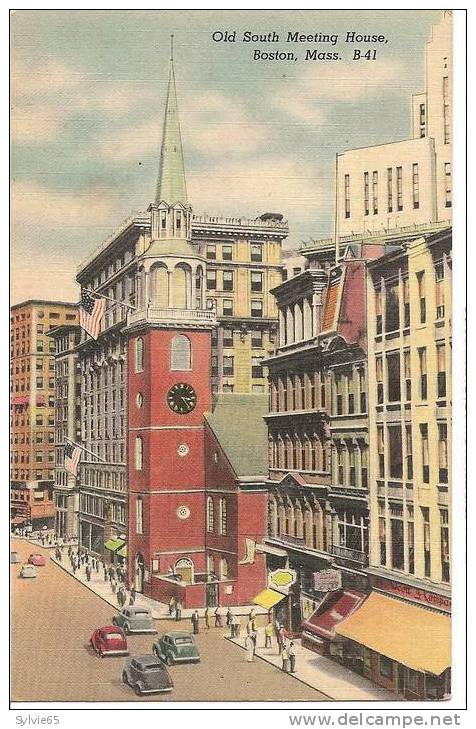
(323, 674)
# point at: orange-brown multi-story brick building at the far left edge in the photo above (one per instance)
(32, 387)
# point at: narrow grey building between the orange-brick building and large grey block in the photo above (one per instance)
(67, 426)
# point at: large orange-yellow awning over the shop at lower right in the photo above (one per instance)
(413, 636)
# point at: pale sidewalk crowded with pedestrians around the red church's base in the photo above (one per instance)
(159, 610)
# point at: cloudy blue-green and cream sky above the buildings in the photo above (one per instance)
(87, 99)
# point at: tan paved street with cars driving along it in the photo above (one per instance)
(53, 618)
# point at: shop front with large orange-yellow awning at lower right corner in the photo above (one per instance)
(400, 646)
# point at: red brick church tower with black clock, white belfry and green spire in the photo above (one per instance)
(169, 354)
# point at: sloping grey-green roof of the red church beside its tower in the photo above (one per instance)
(238, 425)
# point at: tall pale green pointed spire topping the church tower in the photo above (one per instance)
(171, 186)
